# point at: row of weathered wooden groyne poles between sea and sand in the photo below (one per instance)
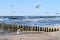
(15, 27)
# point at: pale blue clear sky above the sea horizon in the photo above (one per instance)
(27, 8)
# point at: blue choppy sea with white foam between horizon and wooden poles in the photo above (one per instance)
(31, 20)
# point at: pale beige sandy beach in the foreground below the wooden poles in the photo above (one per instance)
(30, 36)
